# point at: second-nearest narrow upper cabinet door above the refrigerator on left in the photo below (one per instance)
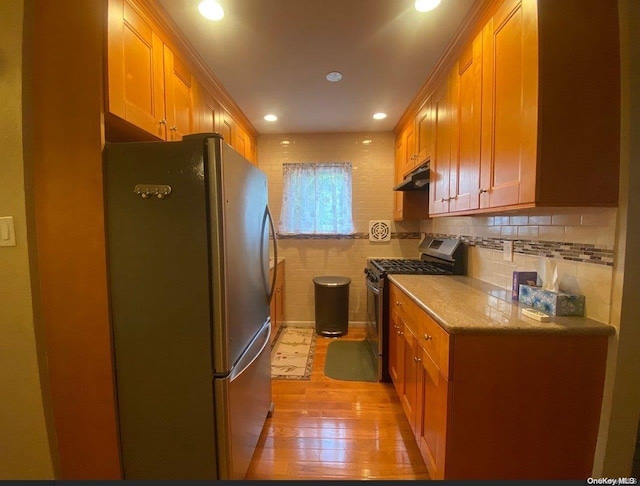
(179, 87)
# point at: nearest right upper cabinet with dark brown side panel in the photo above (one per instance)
(550, 105)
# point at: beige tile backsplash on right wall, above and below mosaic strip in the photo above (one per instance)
(594, 226)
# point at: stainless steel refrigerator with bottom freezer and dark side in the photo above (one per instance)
(188, 232)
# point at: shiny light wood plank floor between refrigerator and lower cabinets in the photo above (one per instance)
(331, 429)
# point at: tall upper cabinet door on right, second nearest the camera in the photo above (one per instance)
(466, 98)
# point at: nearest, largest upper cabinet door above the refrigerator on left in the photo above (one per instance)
(135, 70)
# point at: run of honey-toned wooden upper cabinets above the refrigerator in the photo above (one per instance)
(155, 88)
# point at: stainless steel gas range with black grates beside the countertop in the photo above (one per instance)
(437, 256)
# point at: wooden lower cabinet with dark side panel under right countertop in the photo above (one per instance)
(497, 405)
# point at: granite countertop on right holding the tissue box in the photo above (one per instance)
(465, 305)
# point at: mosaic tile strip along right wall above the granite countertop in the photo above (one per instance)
(578, 252)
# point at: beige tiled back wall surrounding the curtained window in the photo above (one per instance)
(373, 178)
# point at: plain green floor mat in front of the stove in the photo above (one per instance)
(350, 361)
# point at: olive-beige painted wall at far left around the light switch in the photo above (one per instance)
(24, 449)
